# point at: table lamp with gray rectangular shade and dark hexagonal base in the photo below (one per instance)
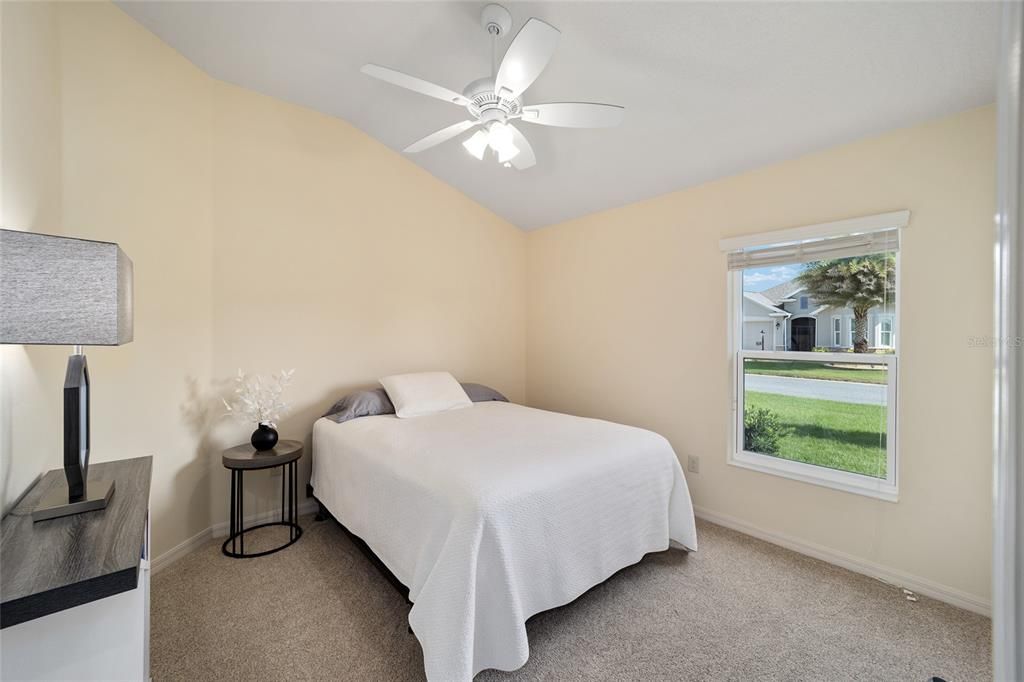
(64, 291)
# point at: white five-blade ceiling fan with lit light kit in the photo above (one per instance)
(495, 101)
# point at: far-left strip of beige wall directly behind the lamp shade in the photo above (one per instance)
(31, 377)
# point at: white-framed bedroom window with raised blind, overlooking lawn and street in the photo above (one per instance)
(823, 418)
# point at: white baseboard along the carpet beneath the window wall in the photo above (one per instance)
(892, 577)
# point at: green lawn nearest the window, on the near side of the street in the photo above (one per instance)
(839, 436)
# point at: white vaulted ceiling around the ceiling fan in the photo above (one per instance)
(711, 90)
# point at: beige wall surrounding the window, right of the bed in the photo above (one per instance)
(627, 321)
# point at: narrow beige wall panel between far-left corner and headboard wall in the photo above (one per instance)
(137, 170)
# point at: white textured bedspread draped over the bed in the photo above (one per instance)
(497, 513)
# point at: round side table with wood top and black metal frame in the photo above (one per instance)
(244, 458)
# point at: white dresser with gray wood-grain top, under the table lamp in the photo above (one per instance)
(75, 608)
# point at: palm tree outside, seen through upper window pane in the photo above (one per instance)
(859, 284)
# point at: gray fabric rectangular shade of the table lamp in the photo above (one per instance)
(64, 291)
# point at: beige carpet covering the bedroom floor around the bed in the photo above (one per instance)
(738, 610)
